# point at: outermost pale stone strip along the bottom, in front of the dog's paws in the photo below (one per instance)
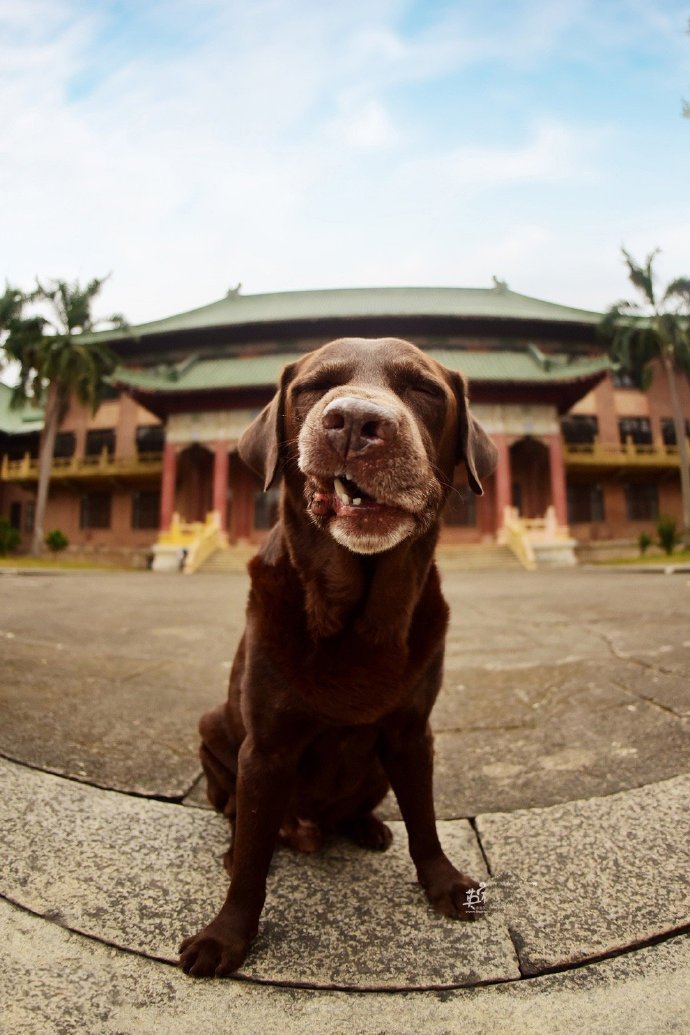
(56, 982)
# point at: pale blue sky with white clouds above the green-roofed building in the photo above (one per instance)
(187, 146)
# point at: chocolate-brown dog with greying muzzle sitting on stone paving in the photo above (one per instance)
(335, 679)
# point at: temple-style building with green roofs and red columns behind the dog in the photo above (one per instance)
(576, 442)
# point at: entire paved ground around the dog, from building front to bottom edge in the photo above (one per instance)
(563, 749)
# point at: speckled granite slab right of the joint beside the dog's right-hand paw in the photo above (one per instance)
(590, 878)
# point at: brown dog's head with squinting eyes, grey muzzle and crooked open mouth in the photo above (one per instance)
(373, 430)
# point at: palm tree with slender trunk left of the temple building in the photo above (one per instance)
(58, 359)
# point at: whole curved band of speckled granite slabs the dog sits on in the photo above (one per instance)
(572, 882)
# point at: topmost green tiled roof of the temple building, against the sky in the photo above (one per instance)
(237, 310)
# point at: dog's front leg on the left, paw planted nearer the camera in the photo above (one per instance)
(264, 783)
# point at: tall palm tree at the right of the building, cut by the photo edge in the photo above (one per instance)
(657, 329)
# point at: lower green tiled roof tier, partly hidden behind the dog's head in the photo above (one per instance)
(239, 372)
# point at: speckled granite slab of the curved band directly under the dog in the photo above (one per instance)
(141, 875)
